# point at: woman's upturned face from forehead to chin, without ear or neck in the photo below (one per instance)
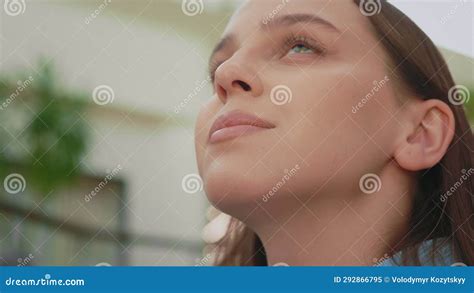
(316, 78)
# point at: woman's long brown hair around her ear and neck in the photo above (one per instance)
(421, 68)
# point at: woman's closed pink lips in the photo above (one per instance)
(235, 124)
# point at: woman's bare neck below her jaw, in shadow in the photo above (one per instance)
(351, 230)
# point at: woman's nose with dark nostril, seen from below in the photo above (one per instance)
(236, 77)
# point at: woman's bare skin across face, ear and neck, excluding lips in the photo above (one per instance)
(320, 215)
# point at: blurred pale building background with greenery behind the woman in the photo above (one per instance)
(97, 107)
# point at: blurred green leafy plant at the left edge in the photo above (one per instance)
(41, 129)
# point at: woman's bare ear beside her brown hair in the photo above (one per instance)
(427, 135)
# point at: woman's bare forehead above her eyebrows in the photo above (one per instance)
(252, 13)
